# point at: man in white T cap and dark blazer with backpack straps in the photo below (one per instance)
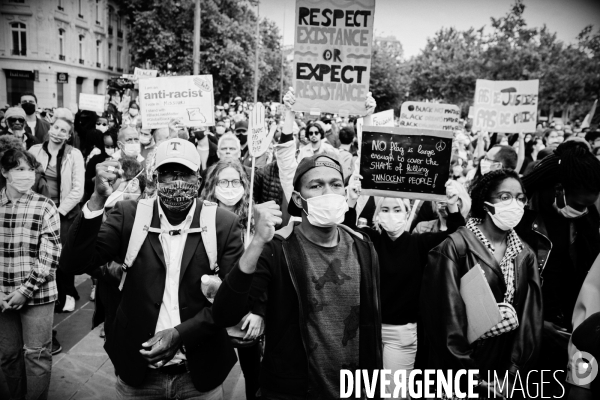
(164, 337)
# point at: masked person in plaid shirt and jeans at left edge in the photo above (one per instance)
(30, 229)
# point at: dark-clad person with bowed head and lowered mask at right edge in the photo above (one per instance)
(562, 226)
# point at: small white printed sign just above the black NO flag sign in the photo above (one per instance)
(443, 117)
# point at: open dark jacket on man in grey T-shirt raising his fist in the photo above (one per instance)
(280, 274)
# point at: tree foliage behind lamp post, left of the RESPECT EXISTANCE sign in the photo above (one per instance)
(161, 33)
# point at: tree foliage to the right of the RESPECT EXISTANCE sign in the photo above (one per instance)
(453, 60)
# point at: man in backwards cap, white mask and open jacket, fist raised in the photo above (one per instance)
(322, 281)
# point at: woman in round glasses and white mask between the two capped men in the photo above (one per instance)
(227, 185)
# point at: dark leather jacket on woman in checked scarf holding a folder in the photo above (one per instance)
(444, 314)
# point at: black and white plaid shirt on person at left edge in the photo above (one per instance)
(30, 242)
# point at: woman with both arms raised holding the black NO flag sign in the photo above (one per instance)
(402, 257)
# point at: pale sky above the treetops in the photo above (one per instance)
(412, 22)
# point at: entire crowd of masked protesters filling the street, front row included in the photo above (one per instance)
(207, 247)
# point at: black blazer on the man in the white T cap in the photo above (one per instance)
(91, 243)
